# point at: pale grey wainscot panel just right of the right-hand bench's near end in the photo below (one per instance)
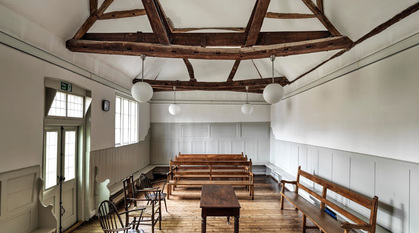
(392, 183)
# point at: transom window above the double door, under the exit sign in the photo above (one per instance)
(67, 105)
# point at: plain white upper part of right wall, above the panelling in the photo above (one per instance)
(373, 110)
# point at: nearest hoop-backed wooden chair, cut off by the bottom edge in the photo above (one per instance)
(110, 220)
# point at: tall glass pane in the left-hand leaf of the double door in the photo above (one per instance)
(51, 152)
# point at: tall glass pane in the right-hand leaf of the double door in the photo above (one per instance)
(70, 155)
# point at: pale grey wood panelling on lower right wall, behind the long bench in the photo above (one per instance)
(394, 182)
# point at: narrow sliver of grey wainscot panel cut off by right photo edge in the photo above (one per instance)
(414, 200)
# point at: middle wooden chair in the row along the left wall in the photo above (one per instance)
(136, 197)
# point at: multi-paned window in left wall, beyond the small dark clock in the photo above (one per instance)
(126, 121)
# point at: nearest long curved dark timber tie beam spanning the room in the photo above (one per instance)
(197, 52)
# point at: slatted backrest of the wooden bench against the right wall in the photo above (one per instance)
(369, 203)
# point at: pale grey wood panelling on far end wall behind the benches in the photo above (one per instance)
(217, 138)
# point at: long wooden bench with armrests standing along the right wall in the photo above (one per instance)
(319, 215)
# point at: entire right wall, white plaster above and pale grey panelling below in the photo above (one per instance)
(360, 131)
